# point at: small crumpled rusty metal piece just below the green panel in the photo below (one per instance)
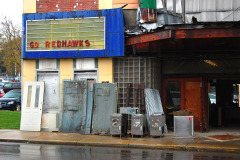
(148, 15)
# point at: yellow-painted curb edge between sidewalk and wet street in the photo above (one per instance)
(137, 146)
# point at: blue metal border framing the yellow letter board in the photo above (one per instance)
(114, 34)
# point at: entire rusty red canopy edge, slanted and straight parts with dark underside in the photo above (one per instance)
(195, 38)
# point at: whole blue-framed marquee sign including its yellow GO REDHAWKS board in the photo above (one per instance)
(73, 34)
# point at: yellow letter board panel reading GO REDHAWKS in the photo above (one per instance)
(66, 34)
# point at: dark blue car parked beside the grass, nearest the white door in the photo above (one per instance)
(11, 100)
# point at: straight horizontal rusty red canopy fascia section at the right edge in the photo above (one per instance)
(207, 33)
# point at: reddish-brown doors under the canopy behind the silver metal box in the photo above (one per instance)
(183, 94)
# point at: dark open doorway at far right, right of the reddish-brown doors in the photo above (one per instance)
(224, 108)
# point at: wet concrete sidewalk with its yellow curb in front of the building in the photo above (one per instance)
(199, 142)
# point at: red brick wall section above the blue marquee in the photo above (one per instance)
(66, 5)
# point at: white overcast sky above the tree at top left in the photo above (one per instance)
(12, 9)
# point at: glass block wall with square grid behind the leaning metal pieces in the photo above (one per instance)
(135, 70)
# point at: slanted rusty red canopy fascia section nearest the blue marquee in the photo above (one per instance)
(149, 37)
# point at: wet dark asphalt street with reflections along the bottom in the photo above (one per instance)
(15, 151)
